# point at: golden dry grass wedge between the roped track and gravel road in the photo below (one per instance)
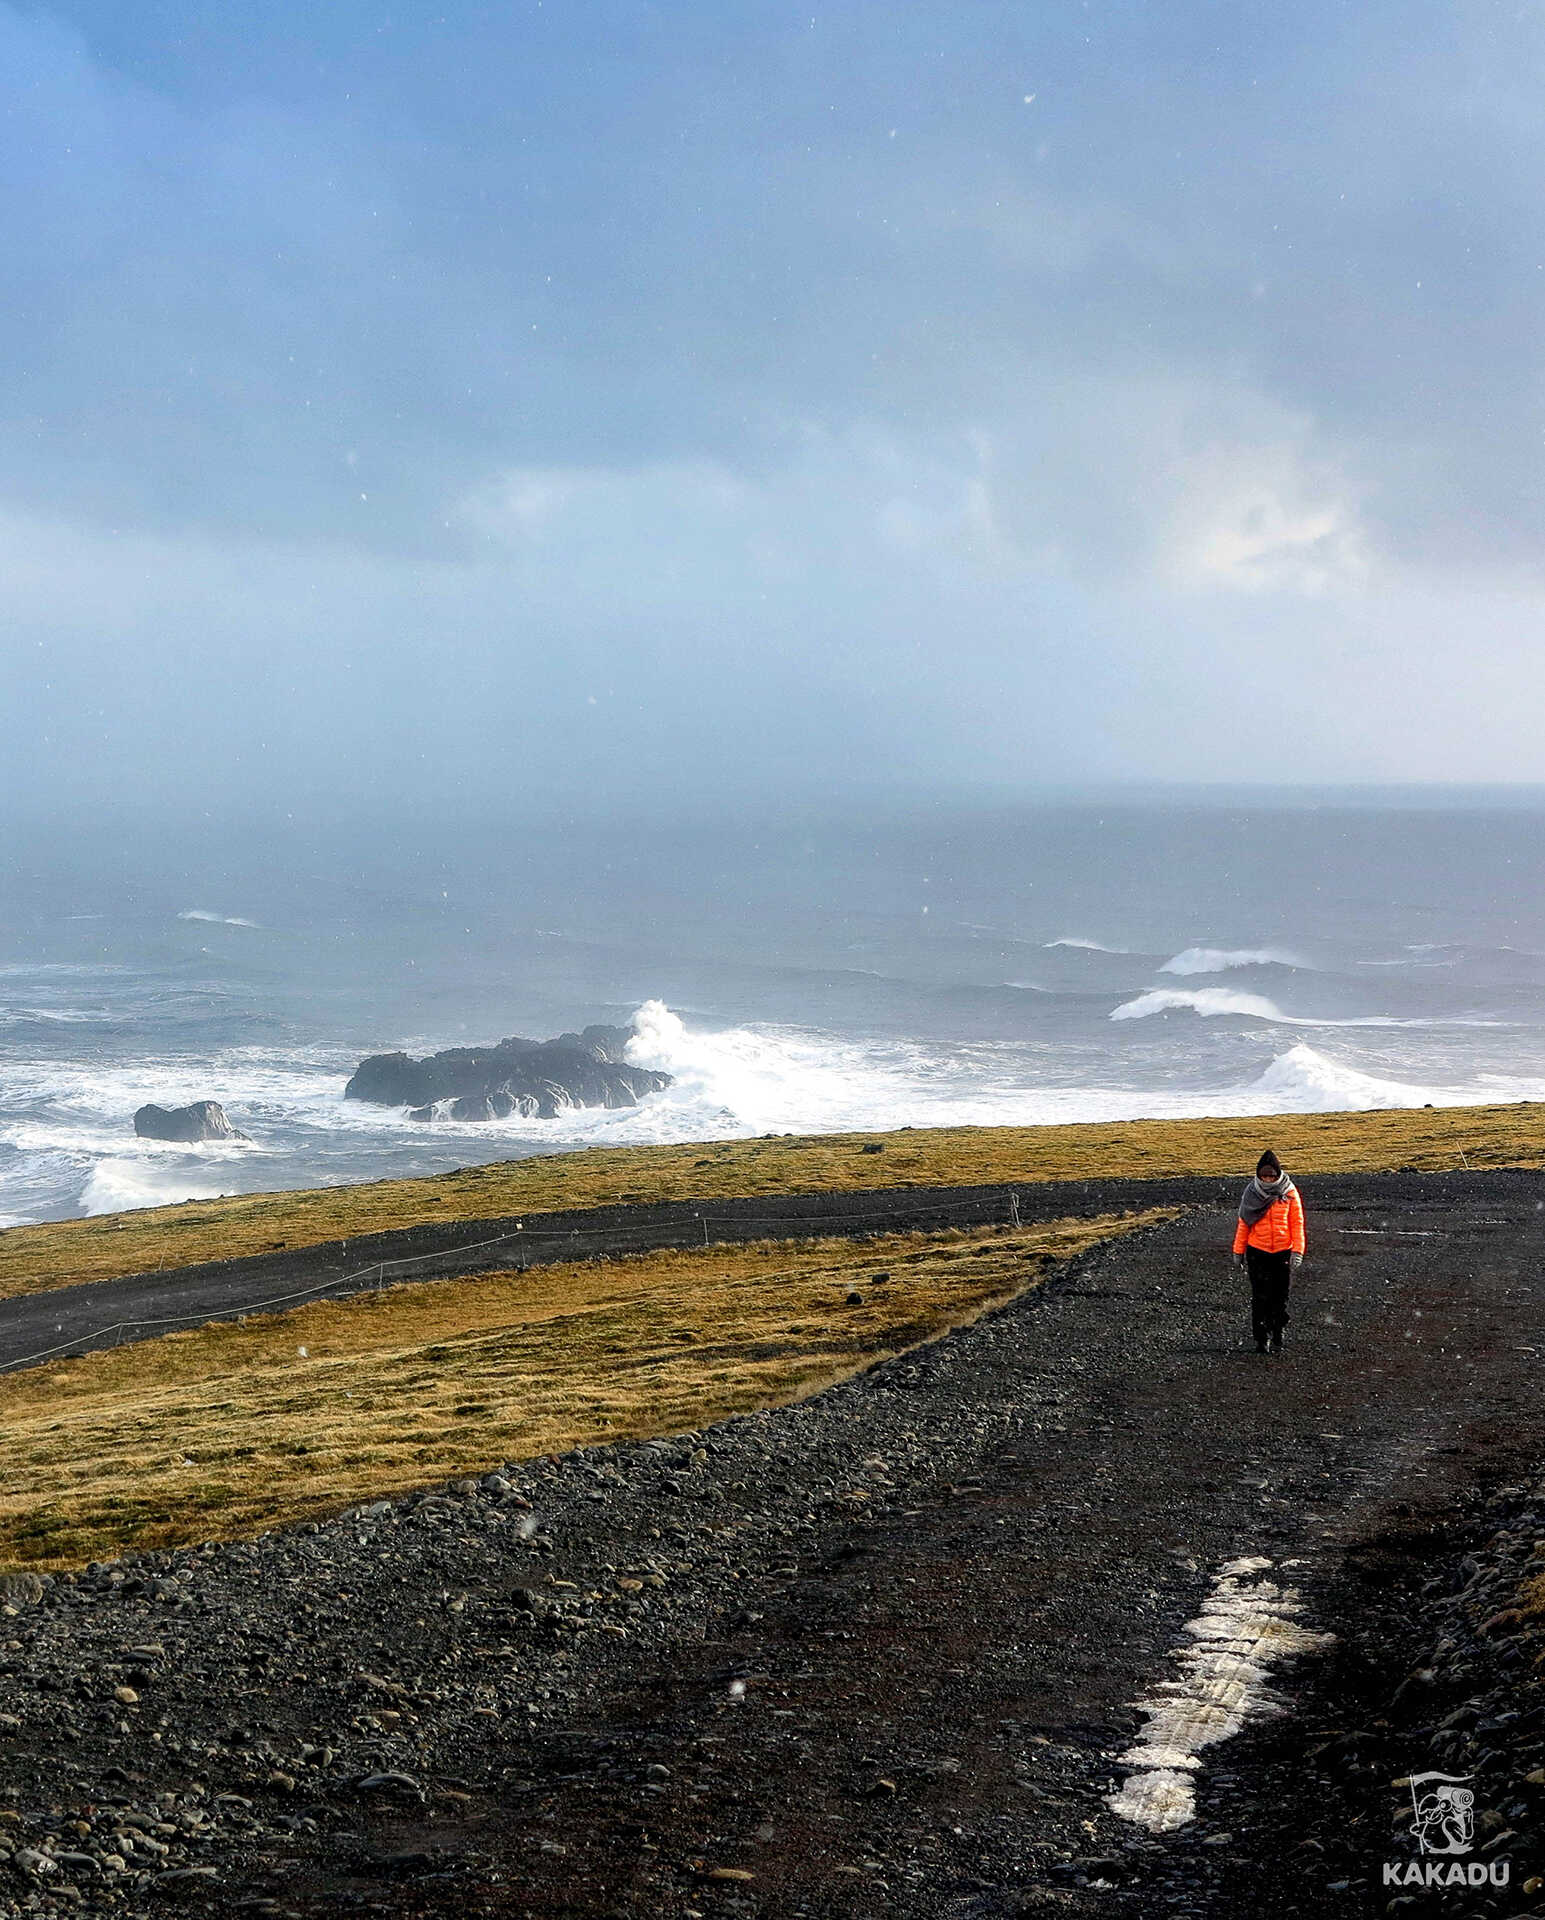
(233, 1429)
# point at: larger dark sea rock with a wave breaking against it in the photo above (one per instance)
(536, 1080)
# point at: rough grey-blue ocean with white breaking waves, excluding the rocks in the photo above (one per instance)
(851, 971)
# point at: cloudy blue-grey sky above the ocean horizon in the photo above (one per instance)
(728, 398)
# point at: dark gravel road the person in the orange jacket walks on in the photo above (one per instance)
(874, 1656)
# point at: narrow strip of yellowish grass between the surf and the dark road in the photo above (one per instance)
(66, 1253)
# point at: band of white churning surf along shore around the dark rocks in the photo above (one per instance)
(66, 1130)
